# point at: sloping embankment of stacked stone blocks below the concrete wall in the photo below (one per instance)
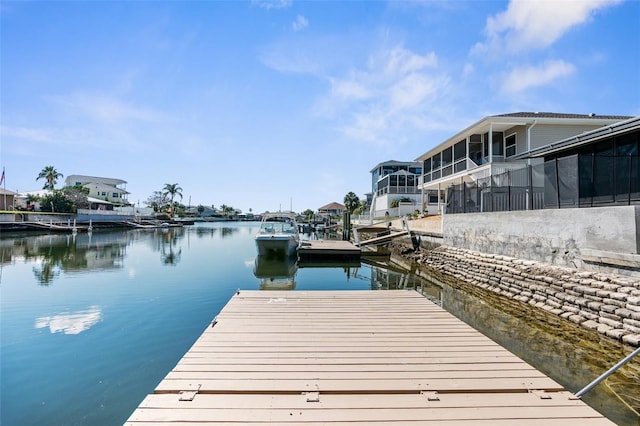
(606, 303)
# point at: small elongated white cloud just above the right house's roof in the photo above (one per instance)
(522, 78)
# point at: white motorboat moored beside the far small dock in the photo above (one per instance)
(278, 235)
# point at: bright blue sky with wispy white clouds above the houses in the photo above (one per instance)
(265, 105)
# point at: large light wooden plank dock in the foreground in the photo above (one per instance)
(352, 358)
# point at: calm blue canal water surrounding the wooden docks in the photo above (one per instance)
(91, 324)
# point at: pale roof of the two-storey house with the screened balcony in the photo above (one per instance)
(502, 122)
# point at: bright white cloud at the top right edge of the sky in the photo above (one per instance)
(528, 24)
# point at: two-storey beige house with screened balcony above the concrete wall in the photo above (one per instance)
(470, 168)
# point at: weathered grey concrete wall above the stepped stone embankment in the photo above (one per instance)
(556, 236)
